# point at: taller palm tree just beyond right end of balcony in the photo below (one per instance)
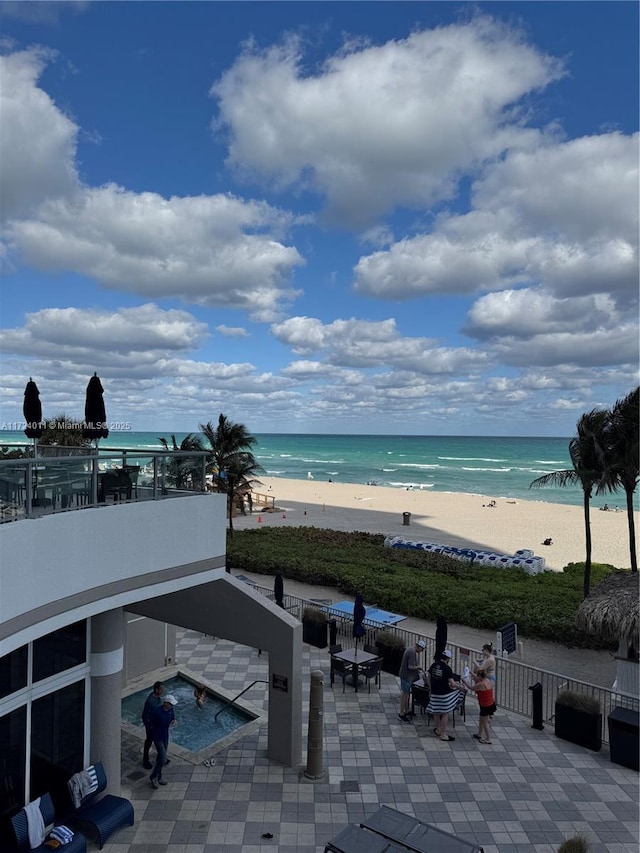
(233, 464)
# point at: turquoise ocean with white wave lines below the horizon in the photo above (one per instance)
(495, 467)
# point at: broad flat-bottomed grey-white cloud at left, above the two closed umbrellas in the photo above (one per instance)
(202, 249)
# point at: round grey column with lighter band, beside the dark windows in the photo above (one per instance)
(107, 661)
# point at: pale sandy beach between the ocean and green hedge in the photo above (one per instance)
(460, 520)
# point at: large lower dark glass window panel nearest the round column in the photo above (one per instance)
(57, 740)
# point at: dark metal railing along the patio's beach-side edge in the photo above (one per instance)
(513, 678)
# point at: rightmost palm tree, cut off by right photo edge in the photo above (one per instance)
(621, 454)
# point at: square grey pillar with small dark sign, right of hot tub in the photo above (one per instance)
(285, 699)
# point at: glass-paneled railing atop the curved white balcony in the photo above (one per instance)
(68, 478)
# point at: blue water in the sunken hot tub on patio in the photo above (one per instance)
(196, 727)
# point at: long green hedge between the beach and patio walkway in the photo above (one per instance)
(421, 584)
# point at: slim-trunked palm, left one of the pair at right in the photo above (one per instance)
(587, 457)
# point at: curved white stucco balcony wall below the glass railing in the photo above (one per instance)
(67, 566)
